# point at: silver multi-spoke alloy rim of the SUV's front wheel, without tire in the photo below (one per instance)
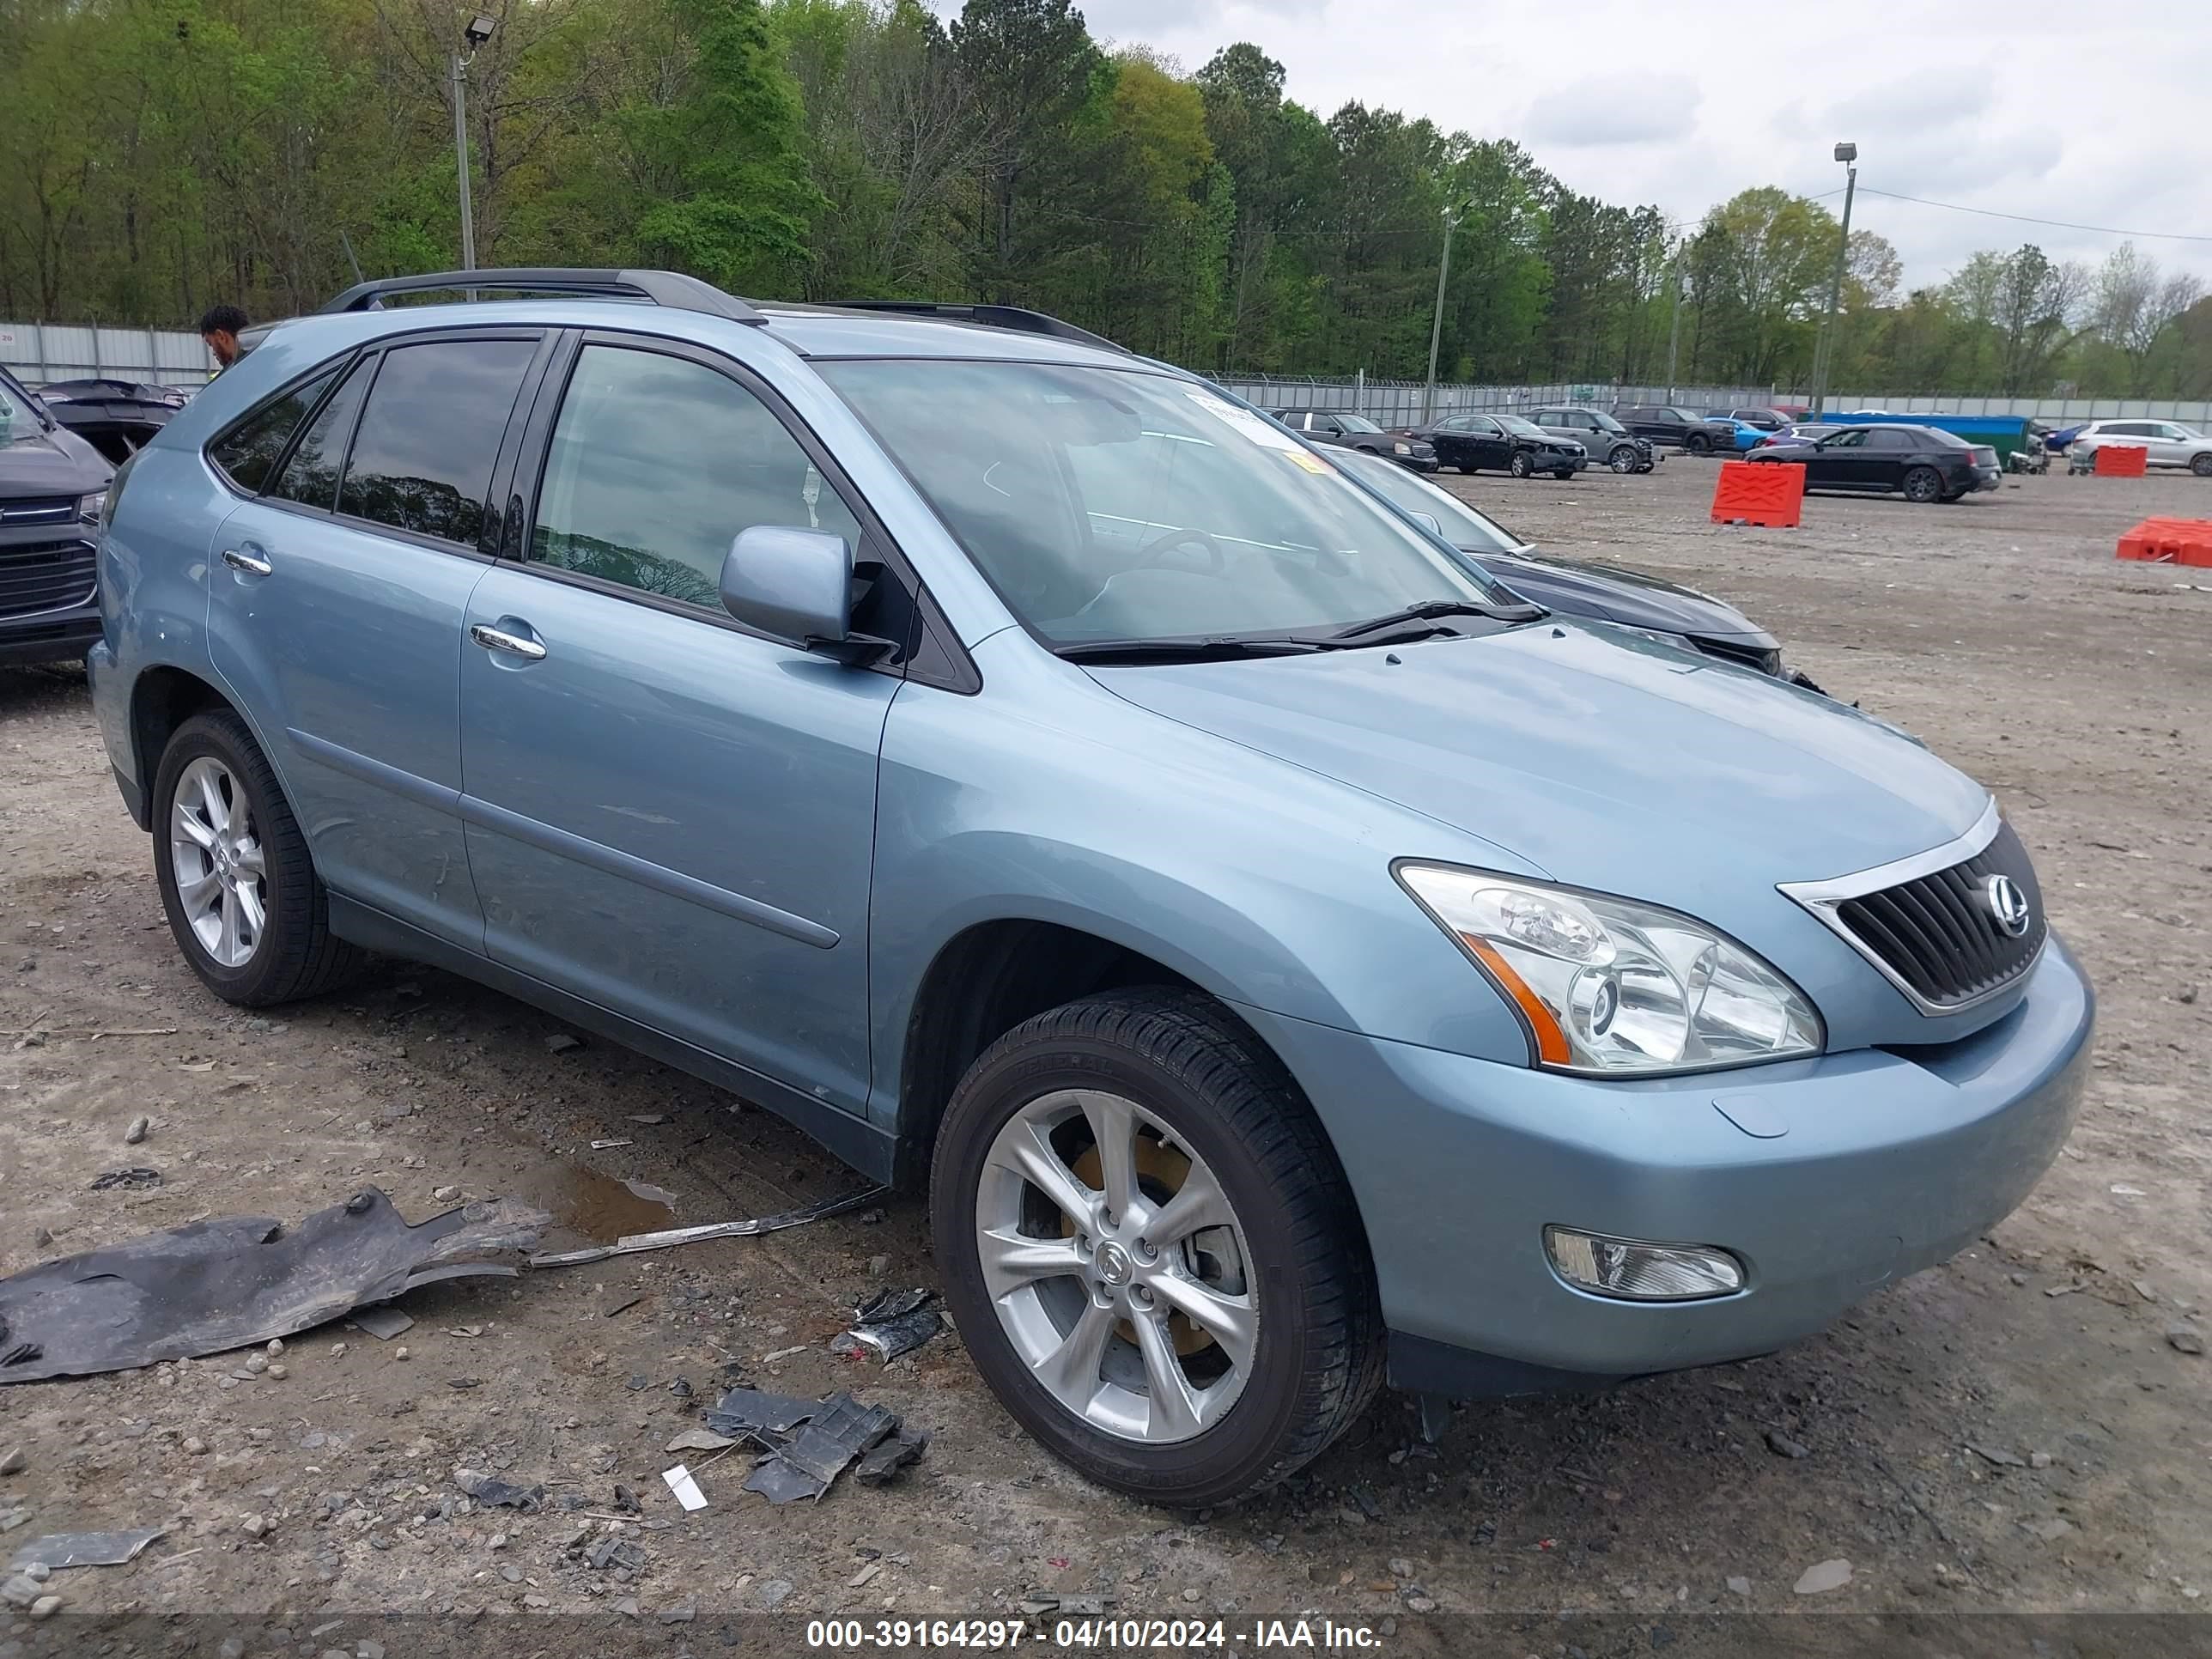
(1118, 1269)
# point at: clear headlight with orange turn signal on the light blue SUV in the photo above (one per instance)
(1607, 985)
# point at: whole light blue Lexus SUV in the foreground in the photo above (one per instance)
(1282, 957)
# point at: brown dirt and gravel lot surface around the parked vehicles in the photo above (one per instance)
(2012, 1432)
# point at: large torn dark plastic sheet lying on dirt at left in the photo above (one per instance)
(227, 1284)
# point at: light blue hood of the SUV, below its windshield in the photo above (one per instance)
(1596, 758)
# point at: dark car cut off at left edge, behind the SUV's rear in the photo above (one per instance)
(52, 494)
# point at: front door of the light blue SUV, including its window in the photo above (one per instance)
(669, 815)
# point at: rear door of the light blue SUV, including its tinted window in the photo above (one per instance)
(337, 612)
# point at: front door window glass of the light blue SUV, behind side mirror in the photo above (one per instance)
(658, 463)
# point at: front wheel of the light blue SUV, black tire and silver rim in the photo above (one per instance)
(1151, 1251)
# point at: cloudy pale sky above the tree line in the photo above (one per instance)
(2060, 112)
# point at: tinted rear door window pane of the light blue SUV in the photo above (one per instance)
(430, 437)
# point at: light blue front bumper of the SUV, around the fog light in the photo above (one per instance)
(1868, 1167)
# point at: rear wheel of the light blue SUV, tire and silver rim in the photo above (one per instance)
(236, 875)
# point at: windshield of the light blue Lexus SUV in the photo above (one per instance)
(1129, 505)
